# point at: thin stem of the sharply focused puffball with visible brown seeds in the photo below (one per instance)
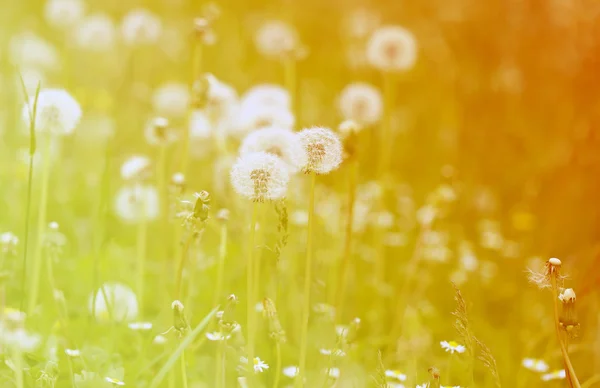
(307, 283)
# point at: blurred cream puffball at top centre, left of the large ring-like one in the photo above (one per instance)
(276, 38)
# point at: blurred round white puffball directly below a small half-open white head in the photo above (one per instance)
(137, 203)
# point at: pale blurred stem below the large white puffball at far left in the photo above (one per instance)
(41, 225)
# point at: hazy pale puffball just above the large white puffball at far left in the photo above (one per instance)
(30, 51)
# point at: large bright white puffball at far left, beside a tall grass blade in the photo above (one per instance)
(56, 112)
